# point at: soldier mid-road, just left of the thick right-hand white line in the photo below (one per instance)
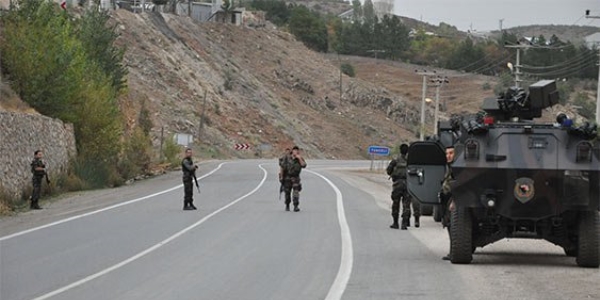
(290, 173)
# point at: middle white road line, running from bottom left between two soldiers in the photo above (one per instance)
(155, 247)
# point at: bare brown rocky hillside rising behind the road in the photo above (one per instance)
(263, 88)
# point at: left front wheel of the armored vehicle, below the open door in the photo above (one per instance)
(461, 231)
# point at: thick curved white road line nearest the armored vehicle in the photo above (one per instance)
(343, 276)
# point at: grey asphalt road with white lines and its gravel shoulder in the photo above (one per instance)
(136, 242)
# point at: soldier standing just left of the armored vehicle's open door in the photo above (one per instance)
(397, 171)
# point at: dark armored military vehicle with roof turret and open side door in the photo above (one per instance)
(515, 178)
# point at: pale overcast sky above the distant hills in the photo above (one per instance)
(484, 15)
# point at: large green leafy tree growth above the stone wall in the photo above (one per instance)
(49, 58)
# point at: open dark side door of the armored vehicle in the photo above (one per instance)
(426, 167)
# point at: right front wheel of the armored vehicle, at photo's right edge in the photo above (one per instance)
(588, 254)
